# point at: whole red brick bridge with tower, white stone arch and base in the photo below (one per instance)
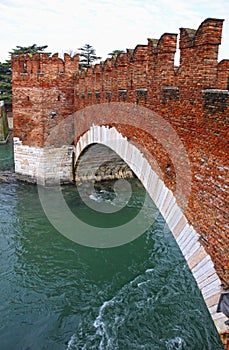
(169, 124)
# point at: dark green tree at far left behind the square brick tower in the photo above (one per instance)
(6, 70)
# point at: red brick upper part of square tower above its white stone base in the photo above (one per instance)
(42, 94)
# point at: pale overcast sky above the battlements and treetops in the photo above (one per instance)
(107, 25)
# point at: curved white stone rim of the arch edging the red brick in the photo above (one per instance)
(198, 260)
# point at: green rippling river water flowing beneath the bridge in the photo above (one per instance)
(57, 295)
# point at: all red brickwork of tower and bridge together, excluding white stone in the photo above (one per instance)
(193, 98)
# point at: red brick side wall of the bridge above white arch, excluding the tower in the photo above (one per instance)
(194, 98)
